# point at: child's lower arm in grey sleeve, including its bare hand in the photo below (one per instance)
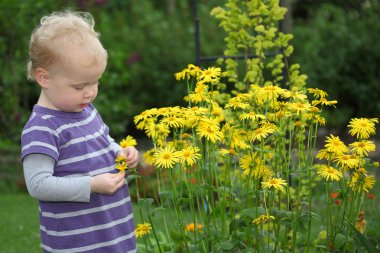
(42, 185)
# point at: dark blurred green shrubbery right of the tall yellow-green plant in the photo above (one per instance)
(338, 50)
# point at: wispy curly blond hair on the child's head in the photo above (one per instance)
(57, 33)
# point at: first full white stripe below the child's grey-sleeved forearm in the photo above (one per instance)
(85, 211)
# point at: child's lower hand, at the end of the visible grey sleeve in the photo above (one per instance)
(107, 183)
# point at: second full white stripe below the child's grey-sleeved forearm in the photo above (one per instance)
(87, 229)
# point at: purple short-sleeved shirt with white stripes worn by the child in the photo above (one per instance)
(81, 146)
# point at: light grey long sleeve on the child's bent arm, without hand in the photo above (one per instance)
(42, 185)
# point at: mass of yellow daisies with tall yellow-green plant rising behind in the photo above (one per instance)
(240, 157)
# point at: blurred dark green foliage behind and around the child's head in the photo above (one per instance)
(146, 43)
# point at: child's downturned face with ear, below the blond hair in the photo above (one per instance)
(74, 85)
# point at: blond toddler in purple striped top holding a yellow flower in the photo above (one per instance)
(68, 155)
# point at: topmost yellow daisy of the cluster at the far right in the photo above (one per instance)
(362, 127)
